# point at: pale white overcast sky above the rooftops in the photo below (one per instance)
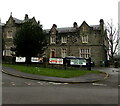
(61, 12)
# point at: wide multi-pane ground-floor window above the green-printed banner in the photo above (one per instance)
(85, 53)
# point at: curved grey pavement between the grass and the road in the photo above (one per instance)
(88, 78)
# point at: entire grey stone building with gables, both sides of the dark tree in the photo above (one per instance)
(79, 41)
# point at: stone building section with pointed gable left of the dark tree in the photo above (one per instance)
(9, 30)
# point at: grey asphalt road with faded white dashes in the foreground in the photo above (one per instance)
(25, 91)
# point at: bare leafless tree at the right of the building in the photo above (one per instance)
(113, 40)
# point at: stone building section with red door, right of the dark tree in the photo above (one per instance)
(83, 41)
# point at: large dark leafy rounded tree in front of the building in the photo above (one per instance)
(29, 41)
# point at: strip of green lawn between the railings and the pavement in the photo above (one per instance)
(50, 71)
